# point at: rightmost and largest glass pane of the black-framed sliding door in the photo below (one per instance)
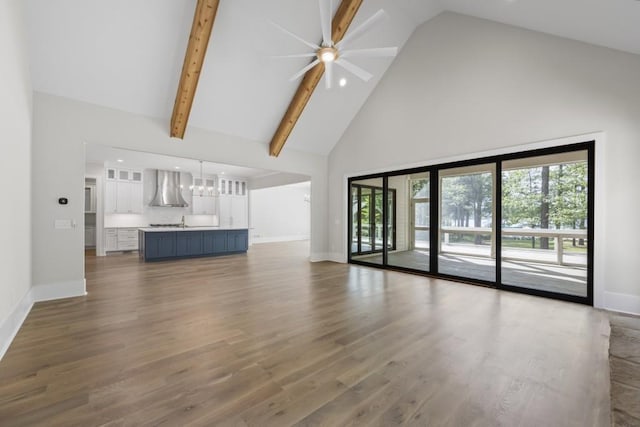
(544, 211)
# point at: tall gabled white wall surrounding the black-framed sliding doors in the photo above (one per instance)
(464, 85)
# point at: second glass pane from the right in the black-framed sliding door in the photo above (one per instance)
(466, 235)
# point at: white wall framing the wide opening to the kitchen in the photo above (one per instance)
(62, 125)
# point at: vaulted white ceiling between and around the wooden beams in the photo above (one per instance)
(127, 54)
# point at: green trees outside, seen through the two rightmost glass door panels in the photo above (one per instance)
(553, 197)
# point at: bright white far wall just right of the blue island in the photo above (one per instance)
(280, 214)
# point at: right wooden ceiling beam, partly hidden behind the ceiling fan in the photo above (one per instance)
(340, 24)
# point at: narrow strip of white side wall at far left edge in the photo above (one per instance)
(15, 171)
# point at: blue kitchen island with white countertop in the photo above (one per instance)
(164, 243)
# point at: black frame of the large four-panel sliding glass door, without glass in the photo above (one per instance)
(434, 201)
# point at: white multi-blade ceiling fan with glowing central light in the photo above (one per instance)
(329, 53)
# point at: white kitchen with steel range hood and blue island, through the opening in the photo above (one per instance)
(164, 207)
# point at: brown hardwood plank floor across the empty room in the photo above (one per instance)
(271, 339)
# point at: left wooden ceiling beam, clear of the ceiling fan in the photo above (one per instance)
(201, 29)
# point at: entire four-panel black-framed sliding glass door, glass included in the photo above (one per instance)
(519, 221)
